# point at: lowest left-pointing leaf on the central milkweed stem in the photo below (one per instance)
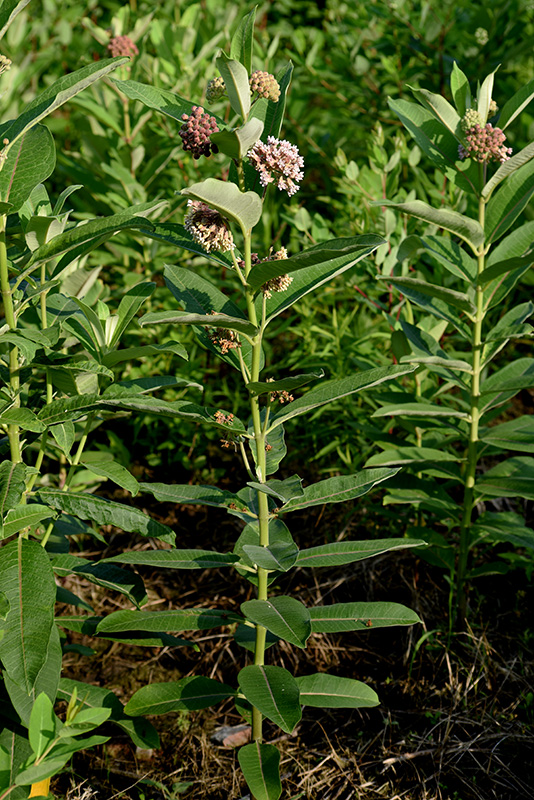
(187, 694)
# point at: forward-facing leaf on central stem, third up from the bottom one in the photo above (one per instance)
(283, 616)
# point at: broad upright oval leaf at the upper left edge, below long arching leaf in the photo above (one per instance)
(29, 162)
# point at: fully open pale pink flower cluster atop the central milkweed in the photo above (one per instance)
(278, 161)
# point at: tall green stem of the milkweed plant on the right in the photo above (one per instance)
(472, 449)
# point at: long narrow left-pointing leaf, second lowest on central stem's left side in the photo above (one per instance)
(189, 619)
